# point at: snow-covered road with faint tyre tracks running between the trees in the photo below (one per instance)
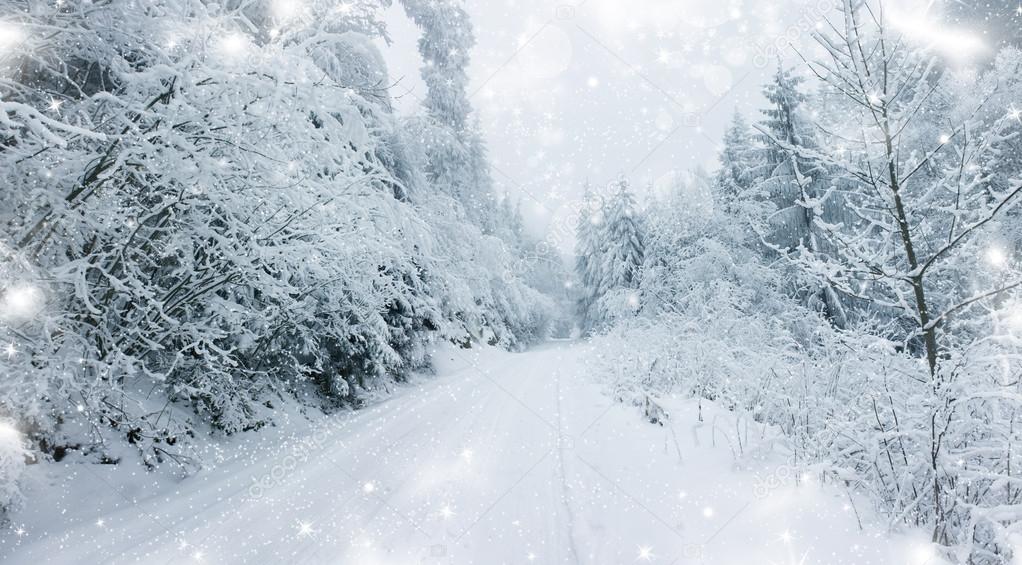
(502, 459)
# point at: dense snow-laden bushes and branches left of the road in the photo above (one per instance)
(212, 207)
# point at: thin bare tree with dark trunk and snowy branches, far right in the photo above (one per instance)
(922, 191)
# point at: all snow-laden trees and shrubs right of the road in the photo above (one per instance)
(857, 285)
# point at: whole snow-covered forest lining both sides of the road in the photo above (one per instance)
(214, 220)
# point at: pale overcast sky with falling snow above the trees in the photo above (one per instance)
(570, 91)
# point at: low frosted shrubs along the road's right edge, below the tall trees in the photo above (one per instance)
(720, 324)
